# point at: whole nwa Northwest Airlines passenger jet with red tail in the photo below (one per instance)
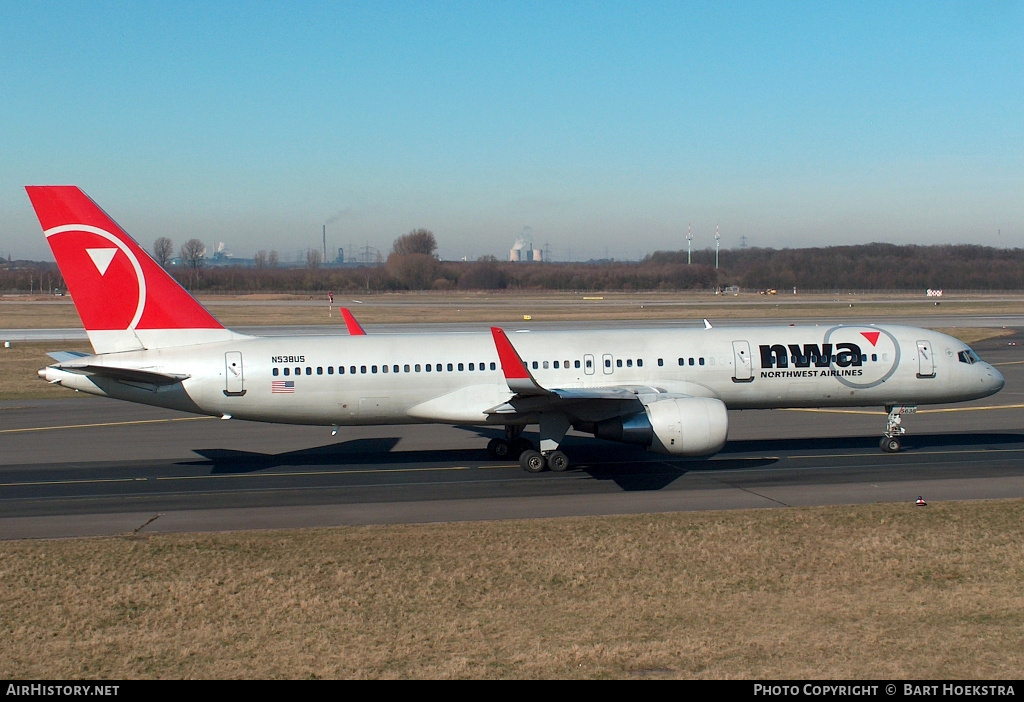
(667, 389)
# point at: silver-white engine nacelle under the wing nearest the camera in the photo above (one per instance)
(693, 426)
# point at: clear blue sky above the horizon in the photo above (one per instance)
(605, 127)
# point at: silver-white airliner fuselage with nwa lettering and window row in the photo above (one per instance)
(457, 378)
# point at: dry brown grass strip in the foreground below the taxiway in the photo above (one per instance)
(877, 592)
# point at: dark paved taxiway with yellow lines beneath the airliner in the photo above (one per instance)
(92, 467)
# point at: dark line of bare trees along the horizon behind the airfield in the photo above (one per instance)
(413, 265)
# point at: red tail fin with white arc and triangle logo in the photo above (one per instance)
(125, 299)
